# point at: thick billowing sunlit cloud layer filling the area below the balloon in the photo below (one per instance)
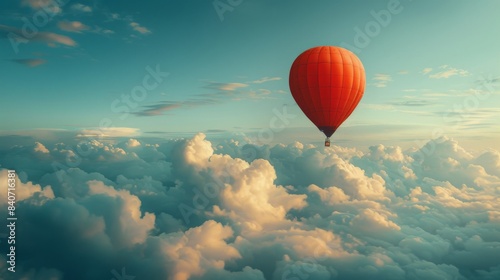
(193, 209)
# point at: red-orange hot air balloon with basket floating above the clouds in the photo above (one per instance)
(327, 82)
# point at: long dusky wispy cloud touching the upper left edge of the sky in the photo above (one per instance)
(51, 39)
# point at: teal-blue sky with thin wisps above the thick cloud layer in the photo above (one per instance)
(228, 69)
